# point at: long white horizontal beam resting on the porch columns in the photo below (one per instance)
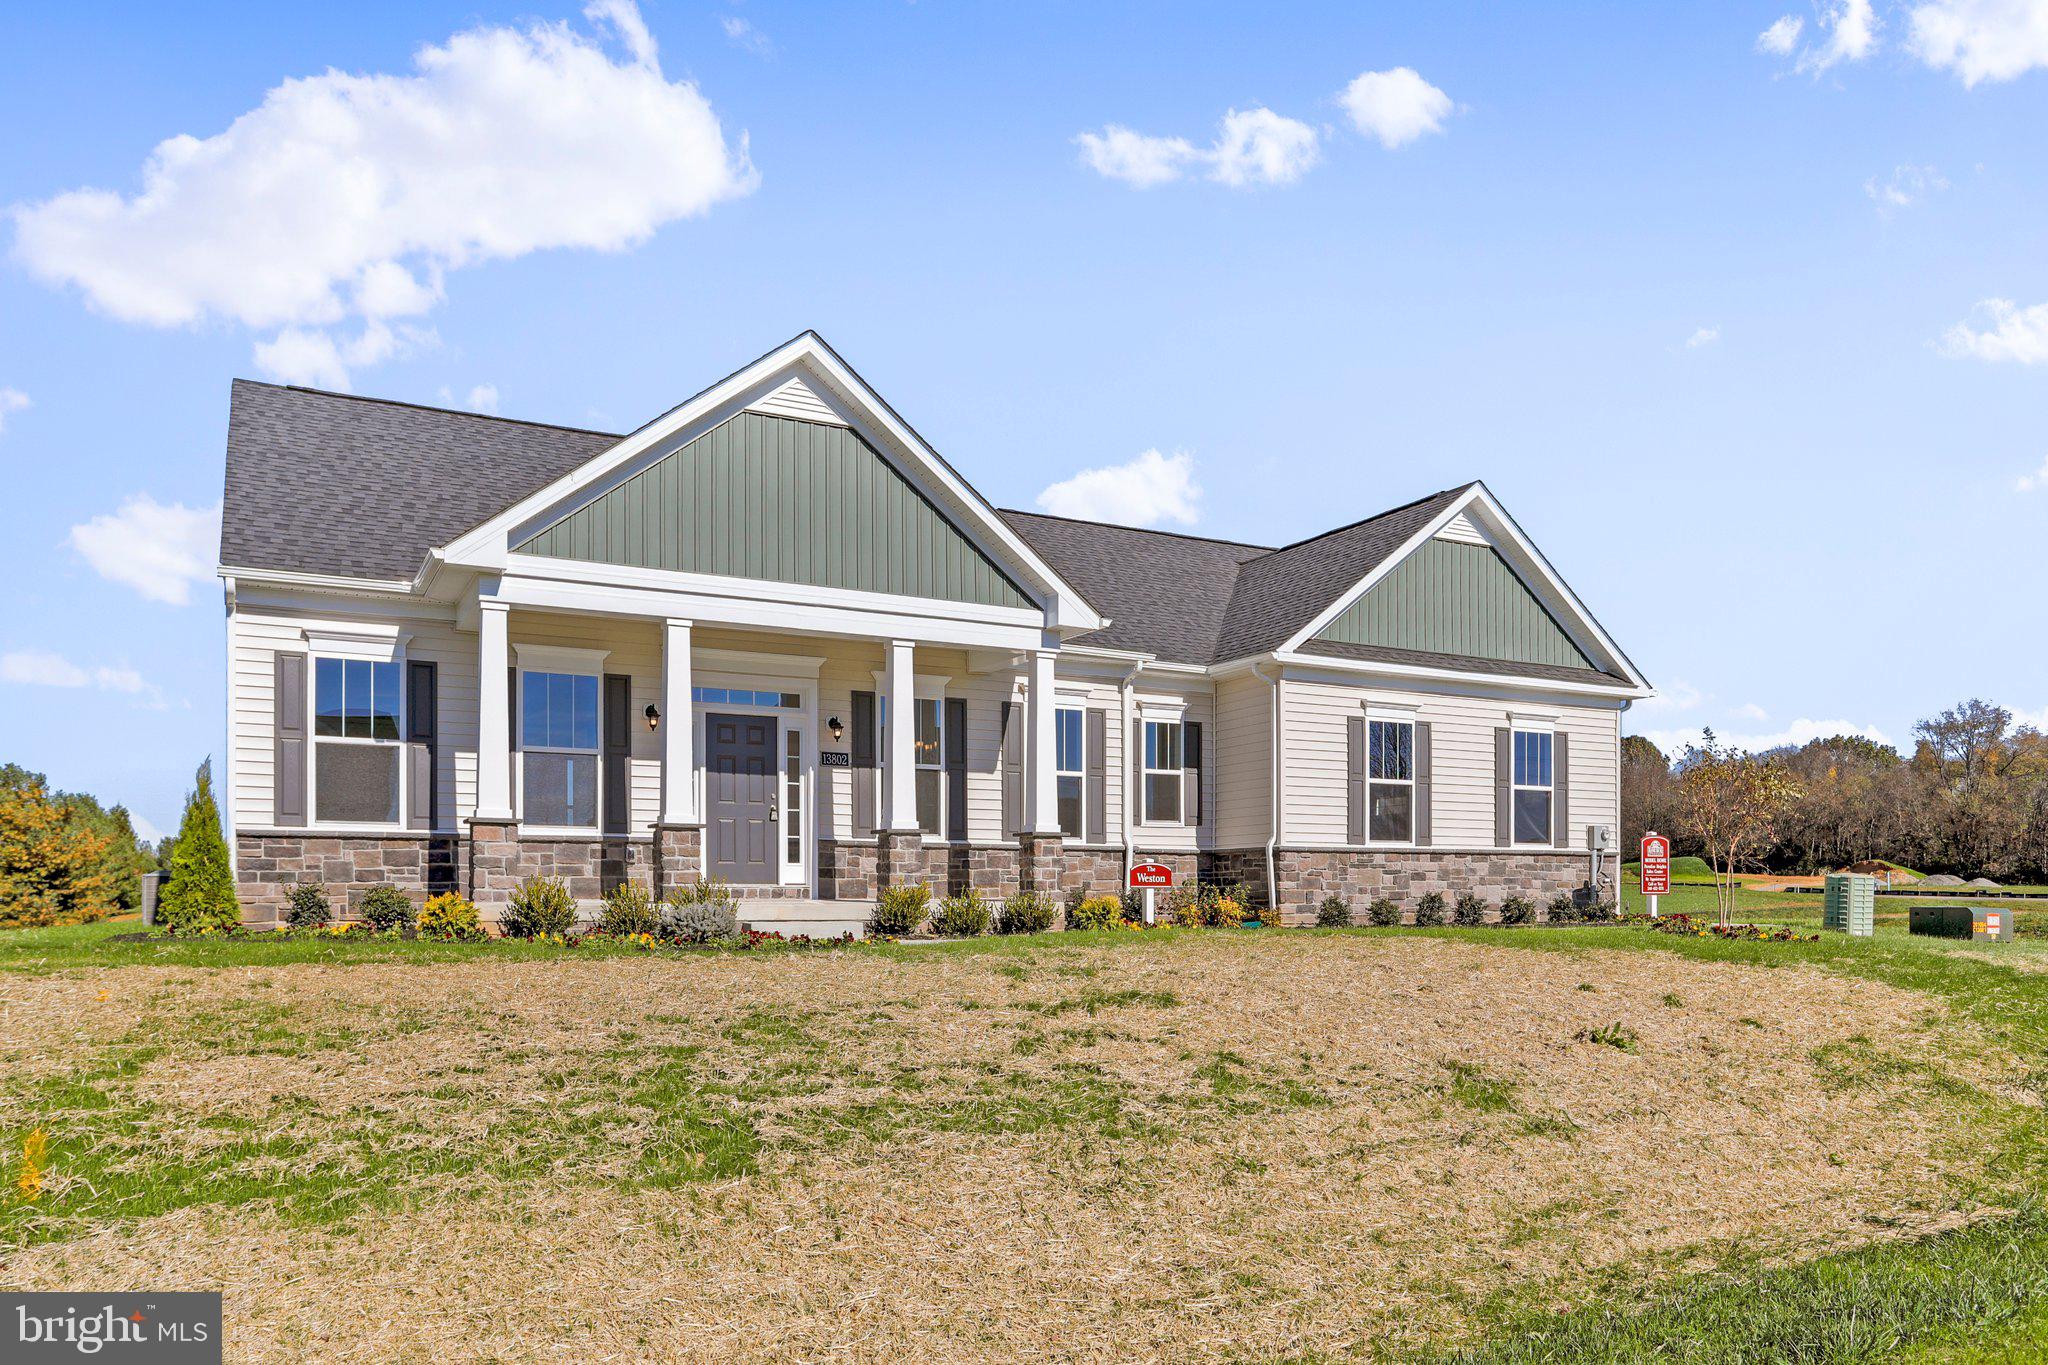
(759, 615)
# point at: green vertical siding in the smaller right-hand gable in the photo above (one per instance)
(1457, 601)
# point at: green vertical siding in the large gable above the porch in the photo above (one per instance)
(783, 500)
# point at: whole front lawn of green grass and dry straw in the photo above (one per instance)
(1187, 1145)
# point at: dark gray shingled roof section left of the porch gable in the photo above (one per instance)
(366, 488)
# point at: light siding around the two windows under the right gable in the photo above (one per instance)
(1461, 736)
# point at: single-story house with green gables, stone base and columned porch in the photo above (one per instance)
(773, 637)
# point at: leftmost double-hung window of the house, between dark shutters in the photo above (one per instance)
(355, 742)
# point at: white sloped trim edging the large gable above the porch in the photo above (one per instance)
(830, 382)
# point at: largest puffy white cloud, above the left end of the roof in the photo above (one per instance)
(343, 202)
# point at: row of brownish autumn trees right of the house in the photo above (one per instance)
(1971, 799)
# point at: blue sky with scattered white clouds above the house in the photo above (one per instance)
(1711, 314)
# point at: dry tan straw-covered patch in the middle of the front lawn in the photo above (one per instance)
(1220, 1145)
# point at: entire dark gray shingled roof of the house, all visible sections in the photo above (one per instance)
(366, 488)
